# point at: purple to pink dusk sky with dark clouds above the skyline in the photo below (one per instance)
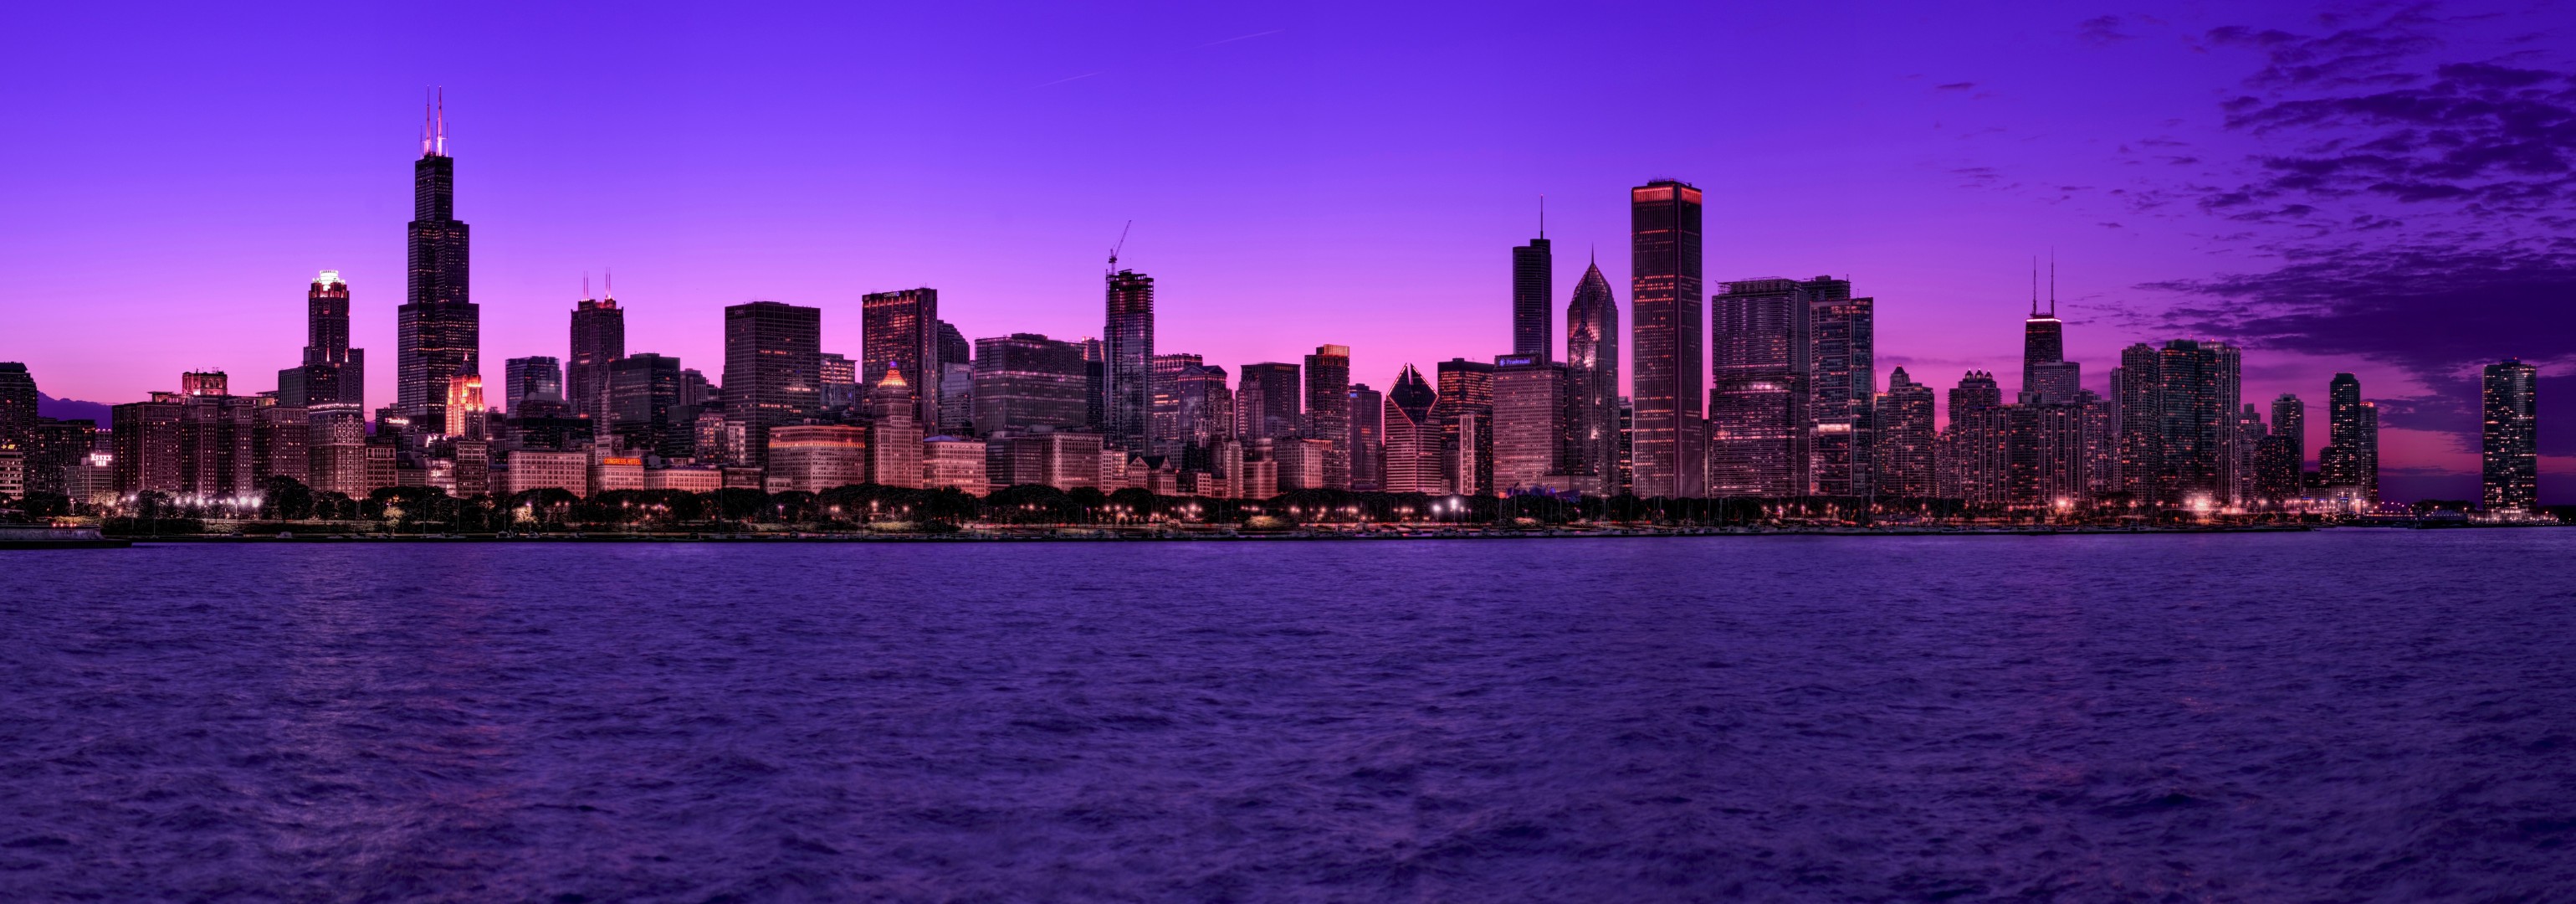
(2376, 192)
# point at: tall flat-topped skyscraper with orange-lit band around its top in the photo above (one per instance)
(1665, 339)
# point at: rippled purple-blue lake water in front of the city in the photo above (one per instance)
(2322, 717)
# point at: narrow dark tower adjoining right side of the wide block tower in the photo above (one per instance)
(1841, 377)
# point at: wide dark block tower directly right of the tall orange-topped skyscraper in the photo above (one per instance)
(1758, 400)
